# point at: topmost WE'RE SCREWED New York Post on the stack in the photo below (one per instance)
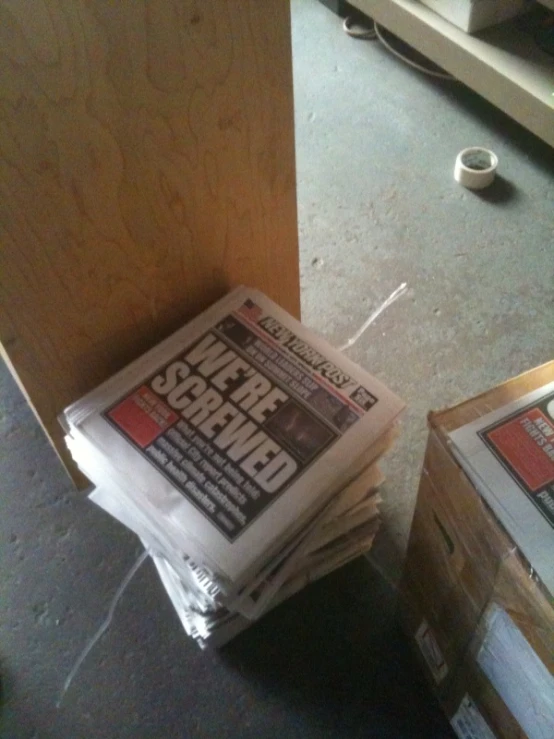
(232, 433)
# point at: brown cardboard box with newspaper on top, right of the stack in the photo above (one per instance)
(476, 613)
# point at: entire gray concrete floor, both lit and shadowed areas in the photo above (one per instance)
(376, 145)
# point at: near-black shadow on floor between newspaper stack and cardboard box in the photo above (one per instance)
(337, 651)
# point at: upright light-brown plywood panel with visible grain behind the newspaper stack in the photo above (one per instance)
(146, 166)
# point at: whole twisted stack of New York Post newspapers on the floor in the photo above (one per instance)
(243, 452)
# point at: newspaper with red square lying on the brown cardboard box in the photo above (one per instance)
(509, 456)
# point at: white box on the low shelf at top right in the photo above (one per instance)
(474, 15)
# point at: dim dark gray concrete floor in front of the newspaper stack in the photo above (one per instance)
(329, 663)
